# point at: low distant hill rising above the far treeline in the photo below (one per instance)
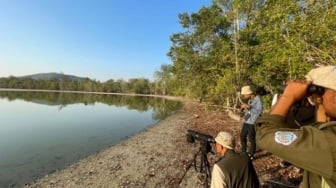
(58, 76)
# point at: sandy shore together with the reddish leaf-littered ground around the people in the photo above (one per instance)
(160, 157)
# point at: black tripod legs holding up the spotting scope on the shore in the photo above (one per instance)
(204, 166)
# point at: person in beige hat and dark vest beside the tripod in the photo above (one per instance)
(232, 169)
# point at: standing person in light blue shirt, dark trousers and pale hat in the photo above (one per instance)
(253, 109)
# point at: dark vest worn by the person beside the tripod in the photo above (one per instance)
(238, 170)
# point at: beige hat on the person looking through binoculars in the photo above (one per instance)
(324, 76)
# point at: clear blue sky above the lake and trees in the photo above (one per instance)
(99, 39)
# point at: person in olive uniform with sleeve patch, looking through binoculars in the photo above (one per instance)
(311, 147)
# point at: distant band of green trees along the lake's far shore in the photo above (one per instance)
(68, 83)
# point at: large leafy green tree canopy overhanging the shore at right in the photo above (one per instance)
(260, 43)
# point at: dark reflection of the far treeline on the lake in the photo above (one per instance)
(160, 106)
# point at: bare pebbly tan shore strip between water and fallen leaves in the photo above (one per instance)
(154, 157)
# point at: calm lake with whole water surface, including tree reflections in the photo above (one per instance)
(42, 132)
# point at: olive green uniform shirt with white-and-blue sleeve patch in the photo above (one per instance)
(312, 148)
